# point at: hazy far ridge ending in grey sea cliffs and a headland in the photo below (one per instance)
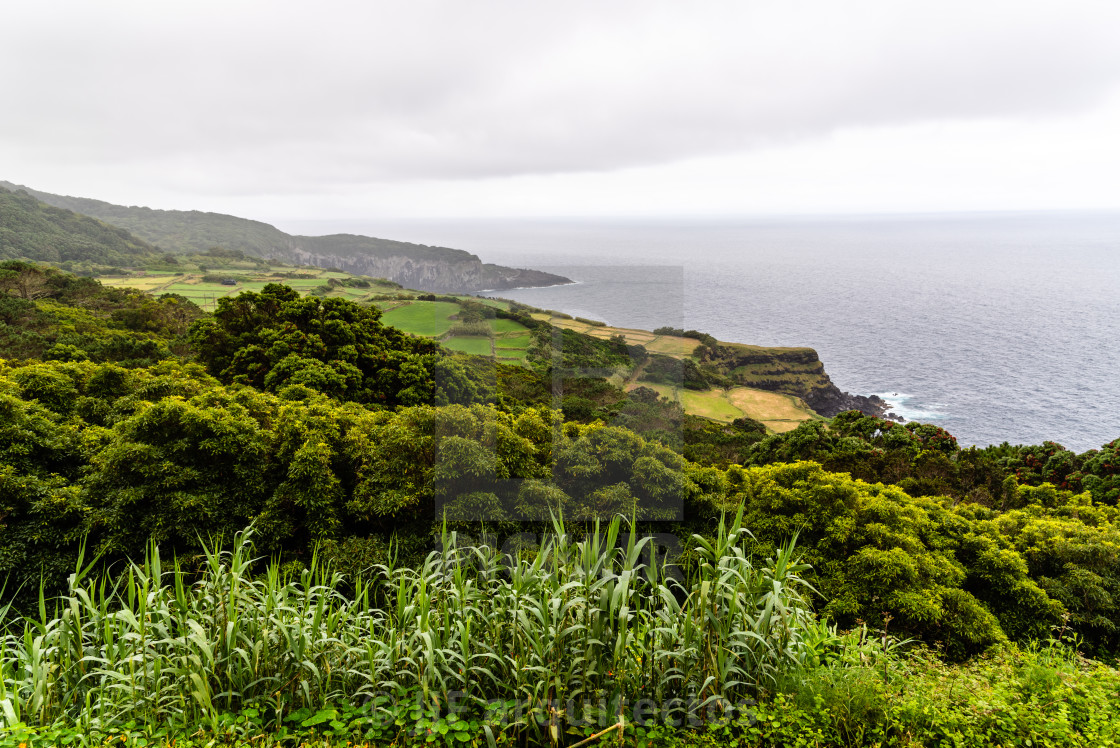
(416, 266)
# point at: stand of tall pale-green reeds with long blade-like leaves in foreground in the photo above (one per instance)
(585, 625)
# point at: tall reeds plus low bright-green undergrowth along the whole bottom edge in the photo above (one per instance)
(466, 651)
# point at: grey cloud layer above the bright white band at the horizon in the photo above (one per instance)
(265, 97)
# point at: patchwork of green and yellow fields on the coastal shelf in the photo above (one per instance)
(779, 388)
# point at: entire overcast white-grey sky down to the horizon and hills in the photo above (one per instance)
(287, 111)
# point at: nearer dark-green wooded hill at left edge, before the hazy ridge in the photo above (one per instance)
(33, 230)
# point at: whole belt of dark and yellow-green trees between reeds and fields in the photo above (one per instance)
(322, 425)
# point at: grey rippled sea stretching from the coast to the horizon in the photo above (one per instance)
(1000, 328)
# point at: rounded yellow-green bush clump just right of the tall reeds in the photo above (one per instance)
(881, 553)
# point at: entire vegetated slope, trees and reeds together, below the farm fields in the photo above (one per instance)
(146, 429)
